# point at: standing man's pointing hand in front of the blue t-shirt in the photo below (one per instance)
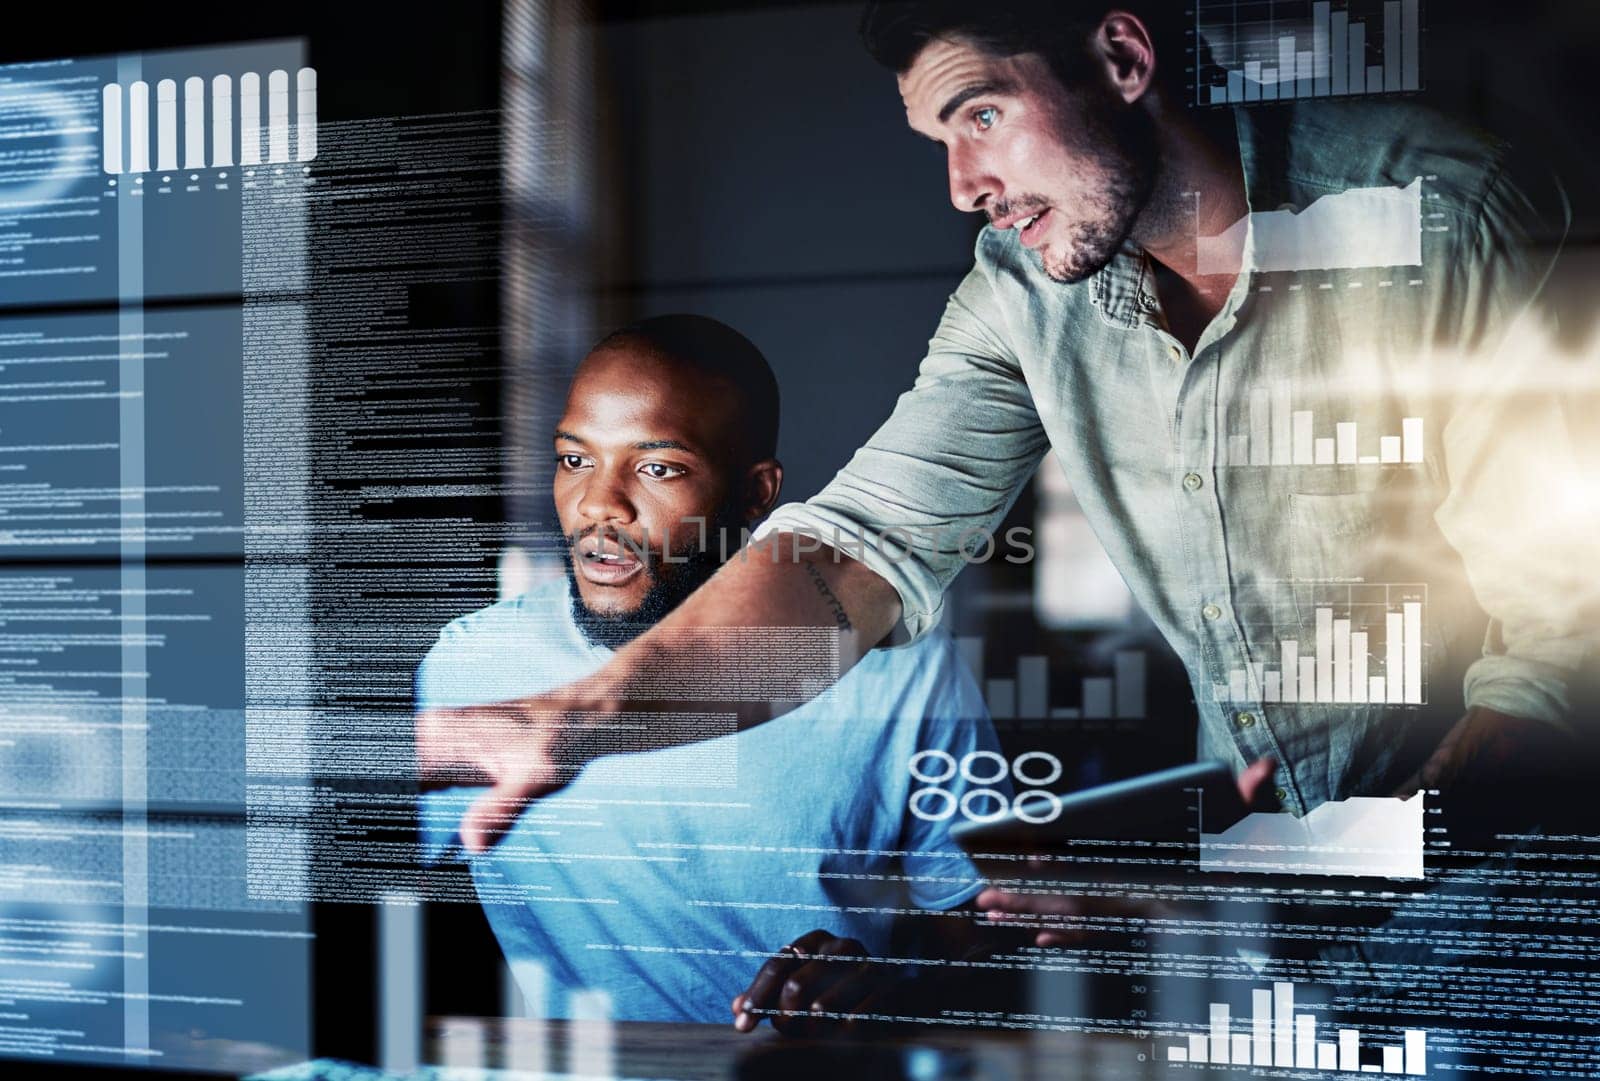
(522, 749)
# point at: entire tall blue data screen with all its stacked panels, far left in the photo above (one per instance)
(137, 935)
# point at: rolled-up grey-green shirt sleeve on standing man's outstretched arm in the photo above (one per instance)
(929, 490)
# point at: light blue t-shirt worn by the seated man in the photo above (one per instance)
(665, 879)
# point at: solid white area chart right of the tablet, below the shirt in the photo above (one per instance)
(1362, 837)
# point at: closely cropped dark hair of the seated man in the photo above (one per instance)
(719, 353)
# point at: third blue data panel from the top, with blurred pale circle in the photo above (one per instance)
(122, 680)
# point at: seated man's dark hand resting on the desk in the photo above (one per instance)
(812, 981)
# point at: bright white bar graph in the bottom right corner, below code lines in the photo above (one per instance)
(1276, 1035)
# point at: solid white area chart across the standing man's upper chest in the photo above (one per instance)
(1345, 231)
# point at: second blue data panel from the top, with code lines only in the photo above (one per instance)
(122, 429)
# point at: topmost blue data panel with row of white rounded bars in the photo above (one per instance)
(122, 177)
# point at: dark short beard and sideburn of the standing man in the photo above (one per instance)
(1122, 142)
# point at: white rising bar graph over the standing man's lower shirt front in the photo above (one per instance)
(1361, 645)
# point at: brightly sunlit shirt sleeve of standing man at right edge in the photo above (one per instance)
(1522, 506)
